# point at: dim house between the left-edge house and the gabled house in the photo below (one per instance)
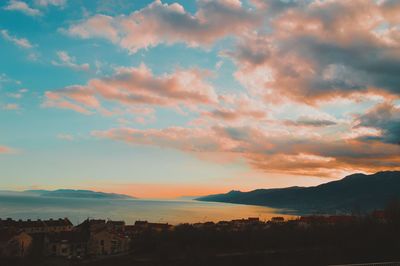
(66, 244)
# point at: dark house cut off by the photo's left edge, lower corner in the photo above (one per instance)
(14, 243)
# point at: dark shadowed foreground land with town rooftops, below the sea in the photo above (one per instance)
(307, 240)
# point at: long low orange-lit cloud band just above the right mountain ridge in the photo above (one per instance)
(266, 151)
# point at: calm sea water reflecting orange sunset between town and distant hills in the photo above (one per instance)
(171, 211)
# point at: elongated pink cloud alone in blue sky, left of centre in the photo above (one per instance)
(136, 86)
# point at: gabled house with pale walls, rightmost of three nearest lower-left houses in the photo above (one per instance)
(105, 242)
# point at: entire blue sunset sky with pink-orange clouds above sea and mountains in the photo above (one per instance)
(160, 99)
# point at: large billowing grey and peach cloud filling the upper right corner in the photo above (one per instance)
(317, 50)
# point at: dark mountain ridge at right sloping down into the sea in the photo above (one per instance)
(357, 192)
